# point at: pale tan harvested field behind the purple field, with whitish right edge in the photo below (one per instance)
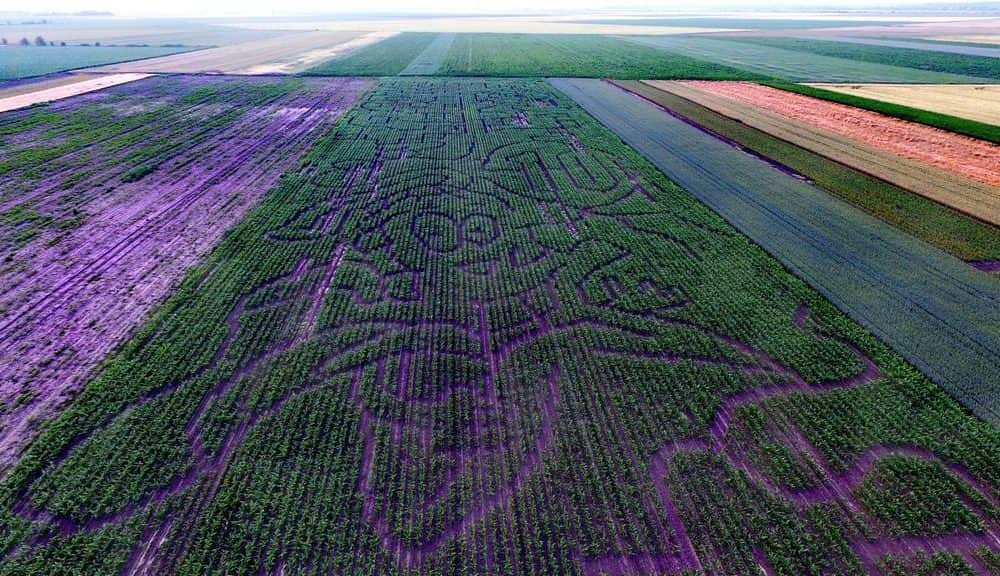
(283, 54)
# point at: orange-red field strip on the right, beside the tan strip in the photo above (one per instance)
(958, 154)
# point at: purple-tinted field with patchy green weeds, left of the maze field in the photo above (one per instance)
(108, 198)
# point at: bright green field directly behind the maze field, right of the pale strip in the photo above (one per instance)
(584, 56)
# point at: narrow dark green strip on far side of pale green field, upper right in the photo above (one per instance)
(978, 66)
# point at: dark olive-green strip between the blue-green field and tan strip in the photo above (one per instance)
(965, 237)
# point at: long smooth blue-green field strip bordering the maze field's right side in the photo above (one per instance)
(937, 312)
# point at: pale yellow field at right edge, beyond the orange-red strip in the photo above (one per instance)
(975, 102)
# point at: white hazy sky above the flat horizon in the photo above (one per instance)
(272, 7)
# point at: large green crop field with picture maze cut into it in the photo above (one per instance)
(474, 332)
